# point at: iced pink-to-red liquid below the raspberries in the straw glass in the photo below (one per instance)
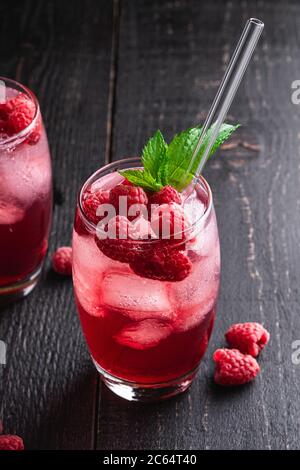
(143, 330)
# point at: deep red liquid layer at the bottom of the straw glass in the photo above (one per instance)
(173, 356)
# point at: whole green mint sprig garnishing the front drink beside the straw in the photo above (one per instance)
(170, 165)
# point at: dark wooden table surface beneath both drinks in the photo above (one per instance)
(108, 74)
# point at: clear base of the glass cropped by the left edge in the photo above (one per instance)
(20, 289)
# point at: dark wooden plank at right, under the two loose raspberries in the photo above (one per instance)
(171, 58)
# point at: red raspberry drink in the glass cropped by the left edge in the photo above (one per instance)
(25, 190)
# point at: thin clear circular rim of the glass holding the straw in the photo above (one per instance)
(97, 174)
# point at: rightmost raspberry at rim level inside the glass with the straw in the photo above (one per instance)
(169, 222)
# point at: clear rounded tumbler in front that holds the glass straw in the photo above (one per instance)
(146, 336)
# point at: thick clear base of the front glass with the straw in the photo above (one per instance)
(133, 391)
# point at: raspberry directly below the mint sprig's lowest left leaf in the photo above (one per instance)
(134, 195)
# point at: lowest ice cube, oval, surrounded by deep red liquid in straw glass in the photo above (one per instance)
(144, 334)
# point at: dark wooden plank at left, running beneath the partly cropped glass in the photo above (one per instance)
(62, 51)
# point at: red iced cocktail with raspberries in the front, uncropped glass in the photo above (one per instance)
(147, 304)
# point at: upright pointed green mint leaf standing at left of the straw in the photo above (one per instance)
(154, 154)
